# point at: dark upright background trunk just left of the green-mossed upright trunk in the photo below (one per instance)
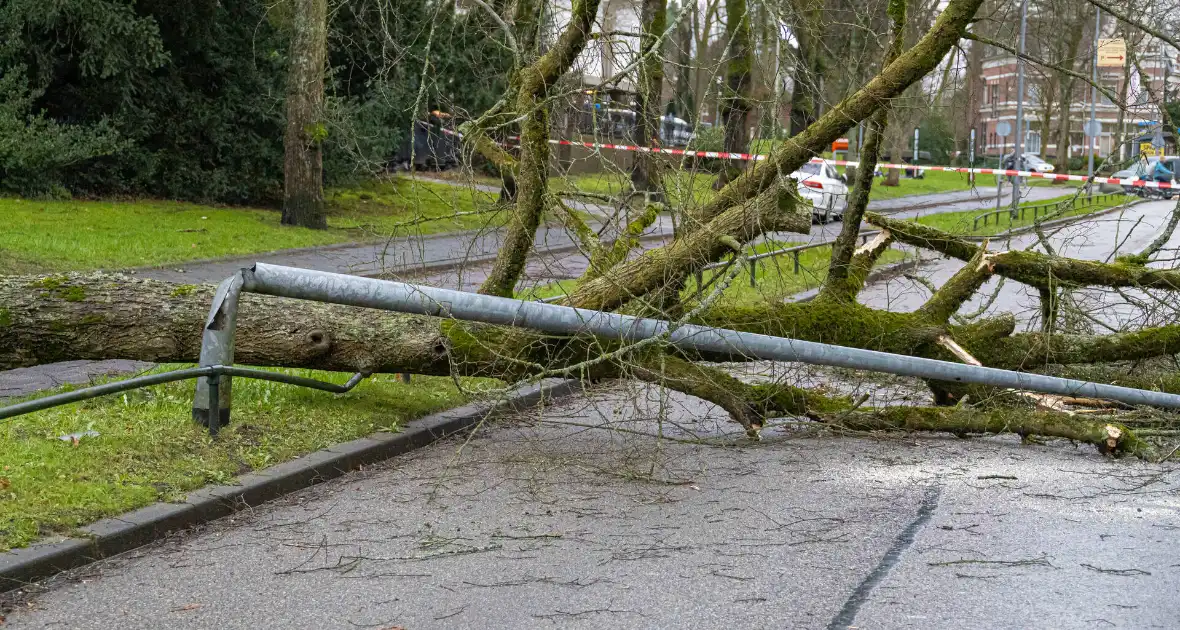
(654, 18)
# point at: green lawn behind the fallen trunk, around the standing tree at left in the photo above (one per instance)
(41, 237)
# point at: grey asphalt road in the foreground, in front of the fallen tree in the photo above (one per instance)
(542, 523)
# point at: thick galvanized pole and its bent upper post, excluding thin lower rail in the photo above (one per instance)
(398, 297)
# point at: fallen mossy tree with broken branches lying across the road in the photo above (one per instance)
(50, 319)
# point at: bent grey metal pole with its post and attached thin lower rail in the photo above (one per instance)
(213, 401)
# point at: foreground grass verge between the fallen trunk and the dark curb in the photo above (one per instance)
(148, 449)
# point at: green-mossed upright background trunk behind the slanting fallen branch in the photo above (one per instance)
(736, 104)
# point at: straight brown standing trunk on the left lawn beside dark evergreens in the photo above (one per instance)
(304, 162)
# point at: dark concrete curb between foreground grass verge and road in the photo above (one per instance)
(117, 535)
